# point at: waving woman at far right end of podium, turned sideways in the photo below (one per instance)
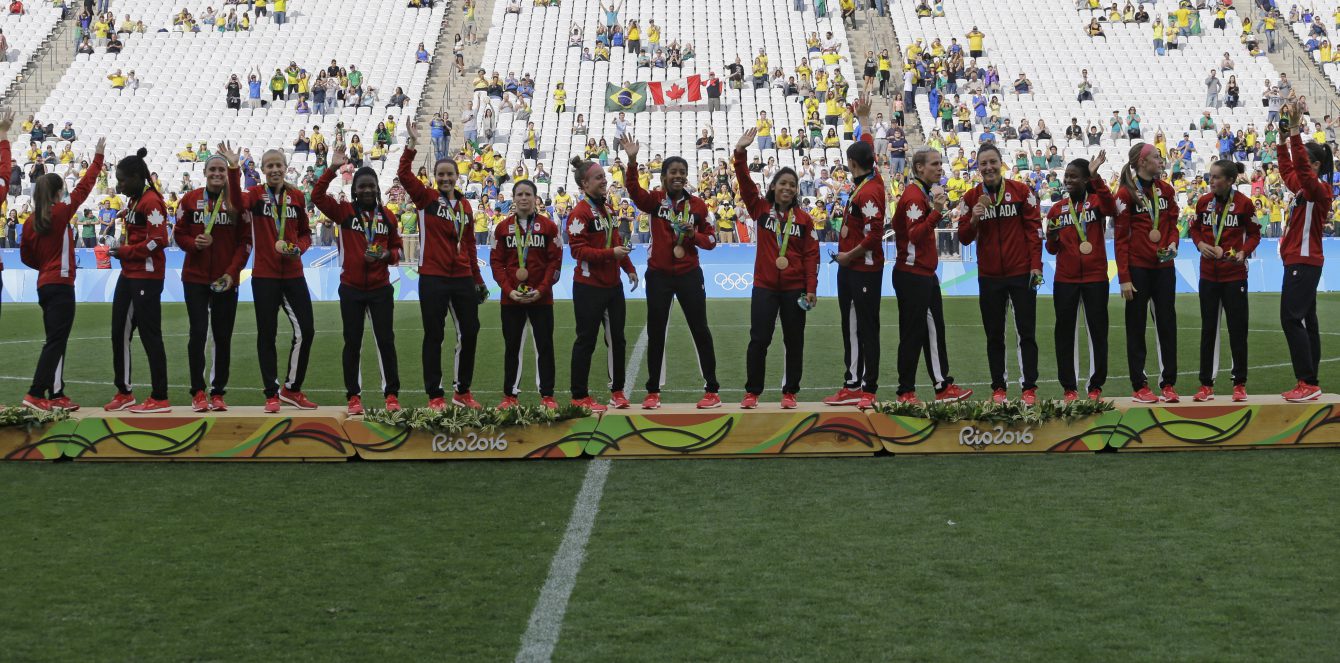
(1300, 248)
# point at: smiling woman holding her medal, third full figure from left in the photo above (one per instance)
(216, 243)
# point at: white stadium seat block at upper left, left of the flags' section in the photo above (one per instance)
(182, 96)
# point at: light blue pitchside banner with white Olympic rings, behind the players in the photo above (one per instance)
(728, 273)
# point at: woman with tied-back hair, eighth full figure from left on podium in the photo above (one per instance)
(597, 246)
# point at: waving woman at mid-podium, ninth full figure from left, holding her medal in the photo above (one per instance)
(680, 230)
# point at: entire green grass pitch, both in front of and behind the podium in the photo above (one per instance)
(1205, 557)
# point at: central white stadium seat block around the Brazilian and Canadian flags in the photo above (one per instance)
(535, 42)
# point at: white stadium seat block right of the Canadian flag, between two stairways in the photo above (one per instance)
(1121, 66)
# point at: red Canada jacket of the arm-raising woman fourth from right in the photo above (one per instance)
(1063, 239)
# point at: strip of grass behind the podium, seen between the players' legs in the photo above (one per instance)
(89, 361)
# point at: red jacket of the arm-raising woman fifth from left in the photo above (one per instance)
(353, 242)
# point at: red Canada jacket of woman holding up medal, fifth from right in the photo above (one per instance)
(1010, 238)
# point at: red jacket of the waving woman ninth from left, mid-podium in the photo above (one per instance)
(661, 258)
